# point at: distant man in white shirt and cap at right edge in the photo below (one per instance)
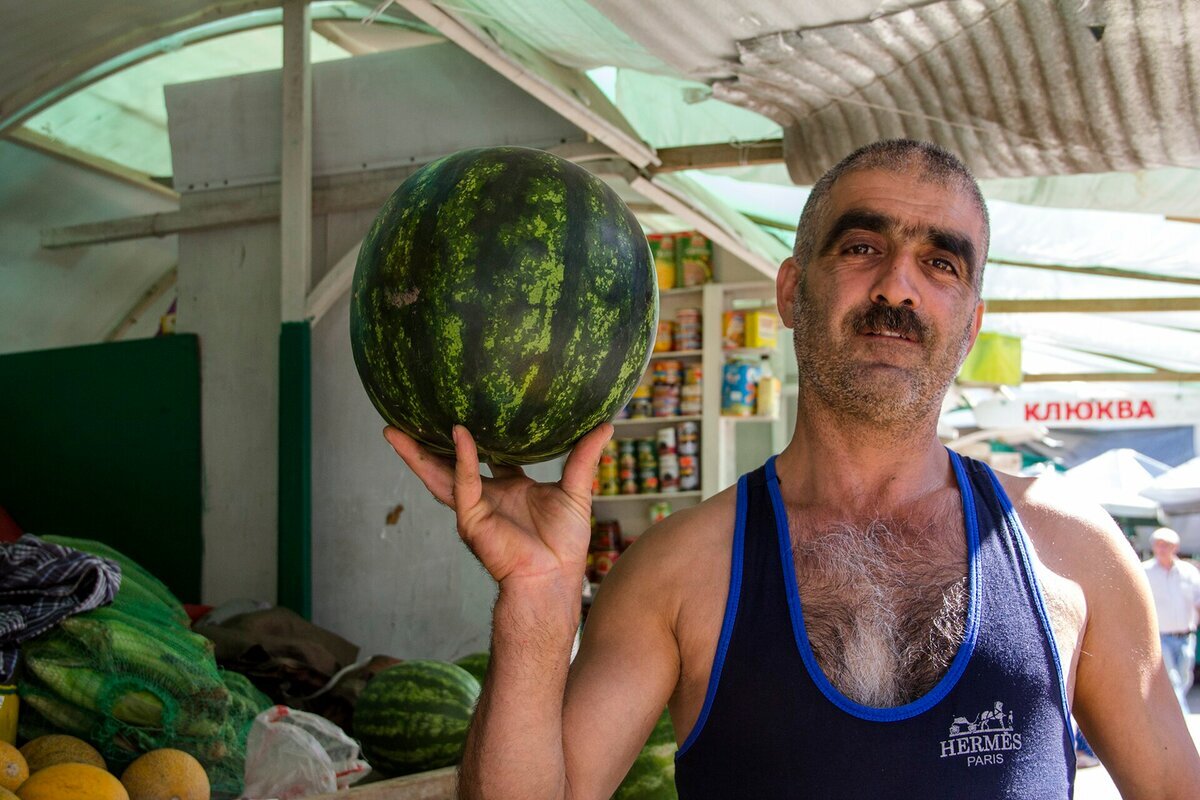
(1175, 586)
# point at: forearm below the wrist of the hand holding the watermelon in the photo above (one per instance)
(515, 744)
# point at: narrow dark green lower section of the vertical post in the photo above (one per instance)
(296, 470)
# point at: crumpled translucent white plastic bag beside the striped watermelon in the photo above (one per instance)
(293, 754)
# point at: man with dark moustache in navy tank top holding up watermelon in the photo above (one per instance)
(841, 623)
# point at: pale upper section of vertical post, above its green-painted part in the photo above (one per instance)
(296, 185)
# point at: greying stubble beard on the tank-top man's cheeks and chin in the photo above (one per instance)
(896, 399)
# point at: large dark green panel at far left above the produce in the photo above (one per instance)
(104, 442)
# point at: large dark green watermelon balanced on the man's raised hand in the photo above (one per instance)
(509, 291)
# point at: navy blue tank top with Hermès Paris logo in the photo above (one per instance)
(773, 726)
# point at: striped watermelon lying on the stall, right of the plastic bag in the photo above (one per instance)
(413, 717)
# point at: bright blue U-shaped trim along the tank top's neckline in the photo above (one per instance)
(962, 658)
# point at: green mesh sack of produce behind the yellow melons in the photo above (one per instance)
(131, 677)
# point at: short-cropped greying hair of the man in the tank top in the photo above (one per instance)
(925, 159)
